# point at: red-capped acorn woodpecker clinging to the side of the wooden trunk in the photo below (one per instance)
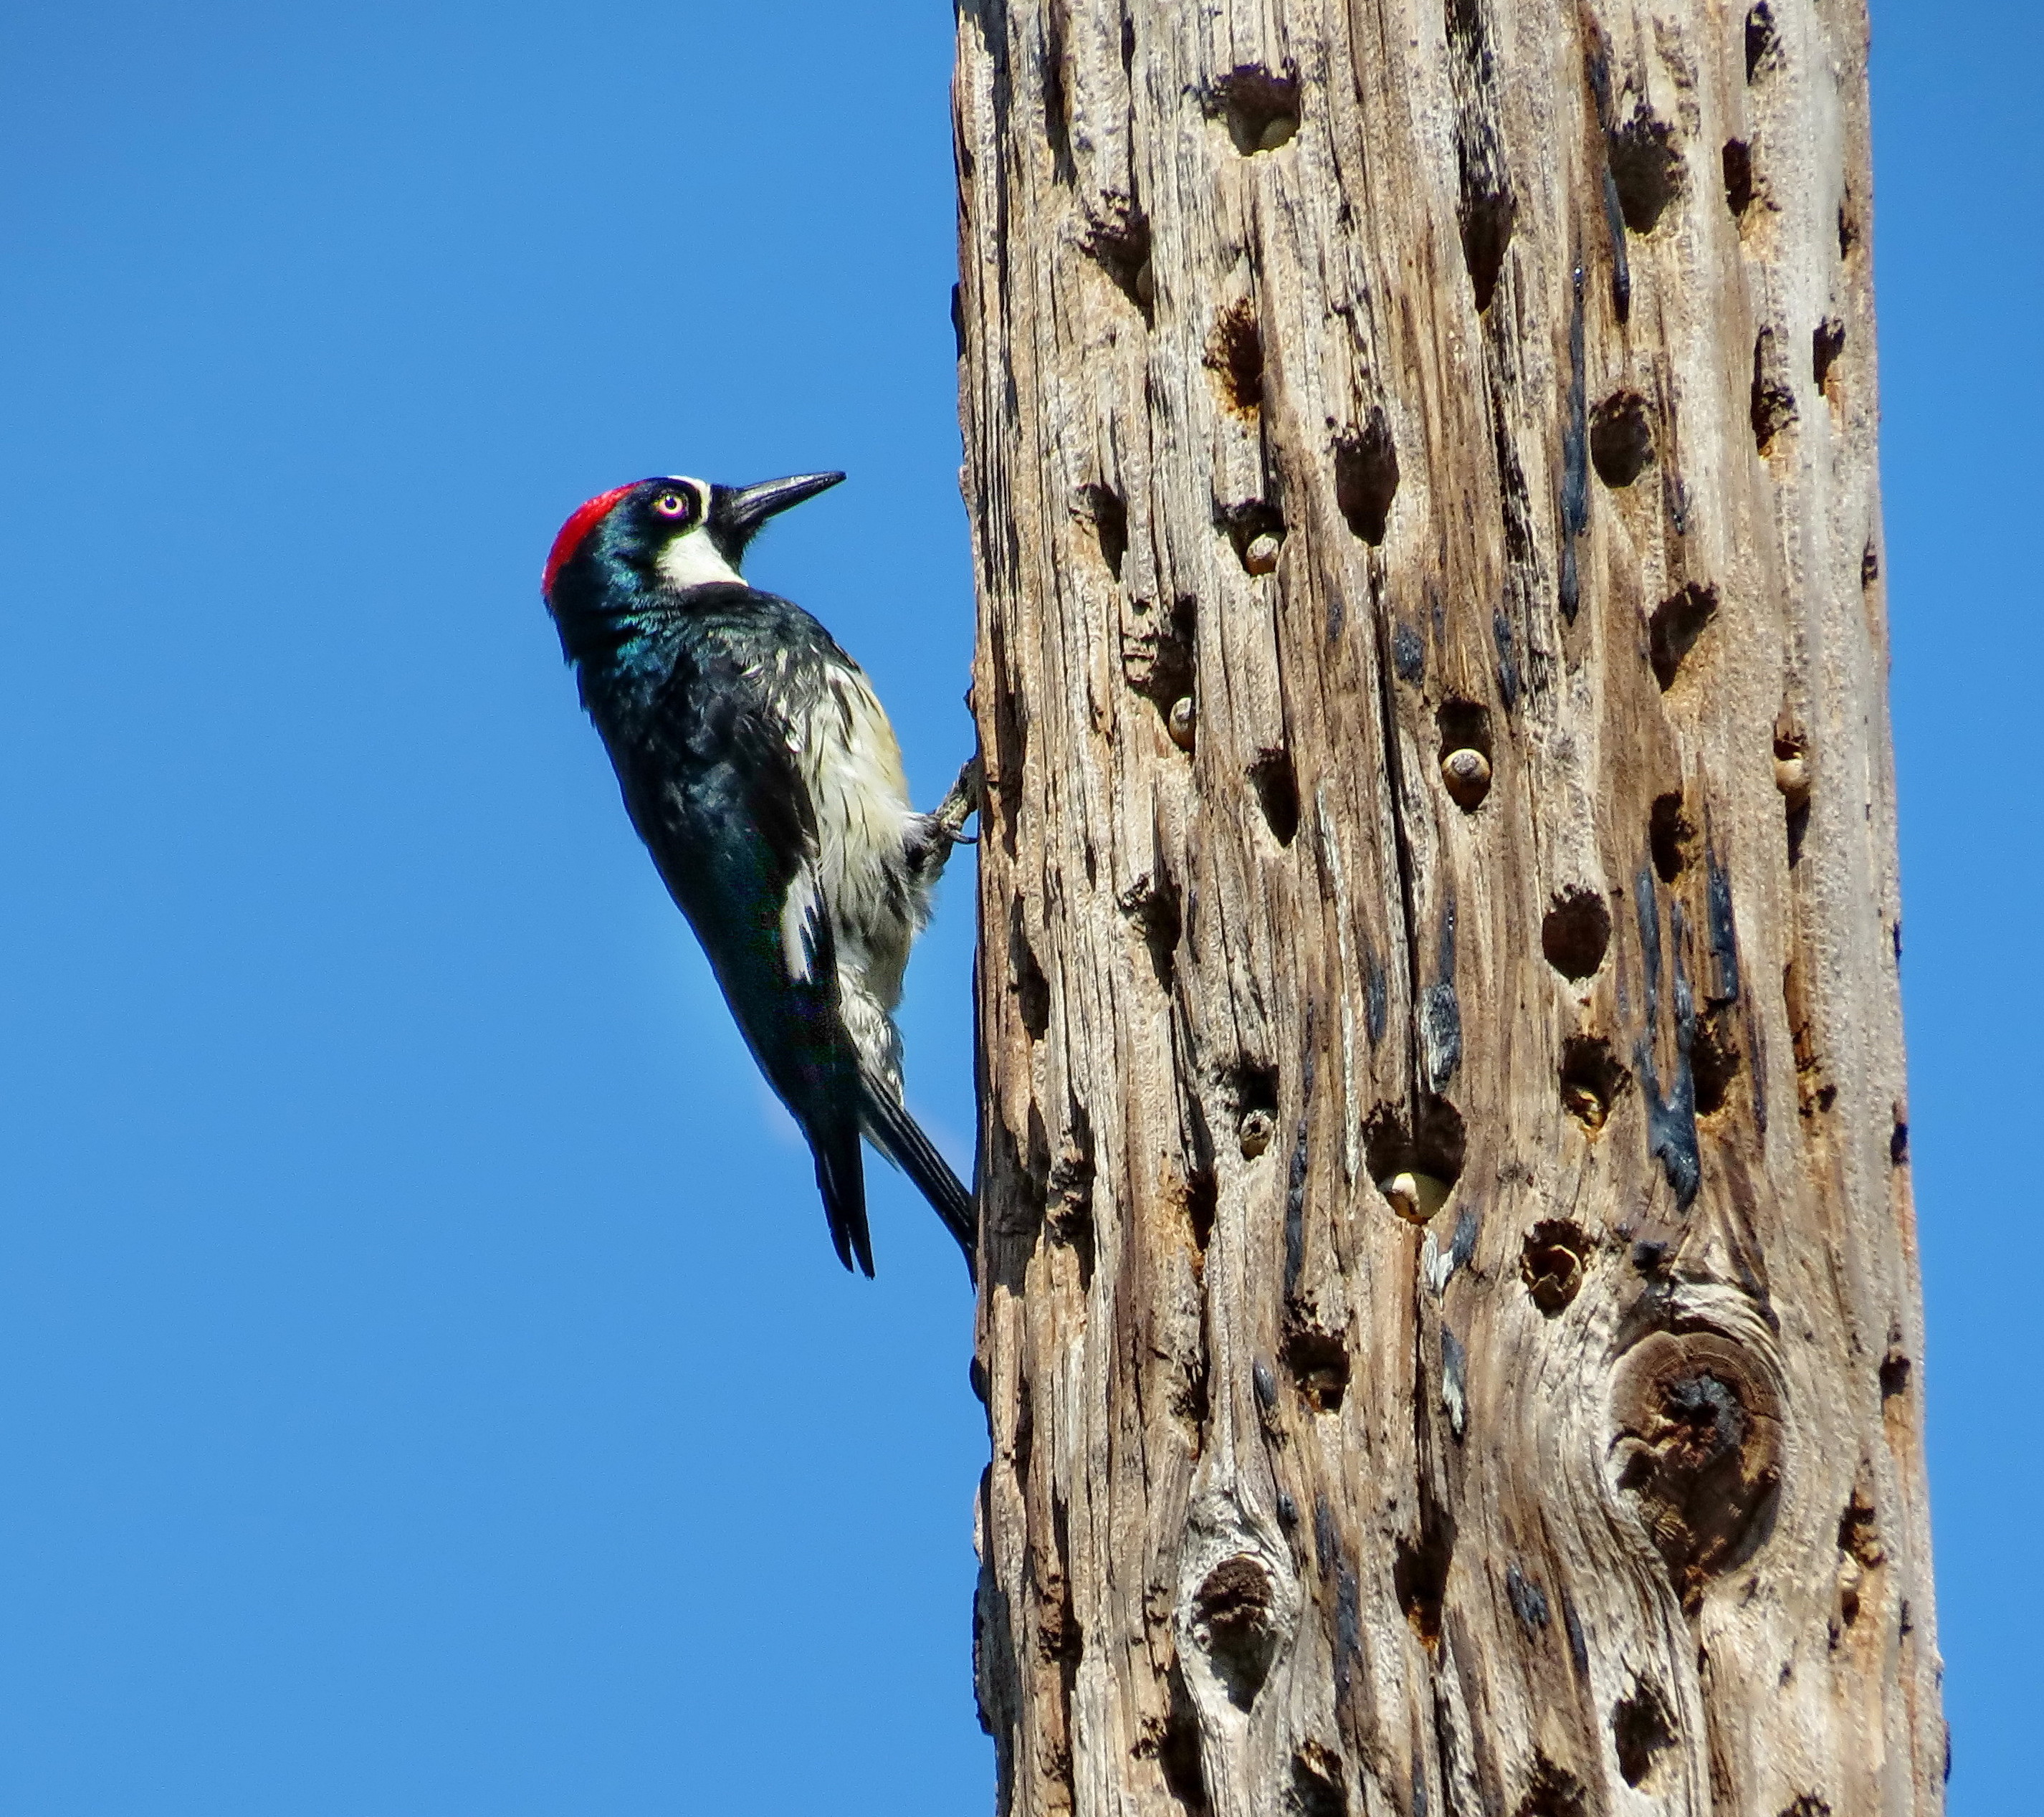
(765, 780)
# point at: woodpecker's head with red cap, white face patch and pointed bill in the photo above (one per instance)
(655, 537)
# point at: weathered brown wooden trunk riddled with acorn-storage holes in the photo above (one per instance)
(1450, 1303)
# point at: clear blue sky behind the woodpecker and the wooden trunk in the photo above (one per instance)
(428, 1387)
